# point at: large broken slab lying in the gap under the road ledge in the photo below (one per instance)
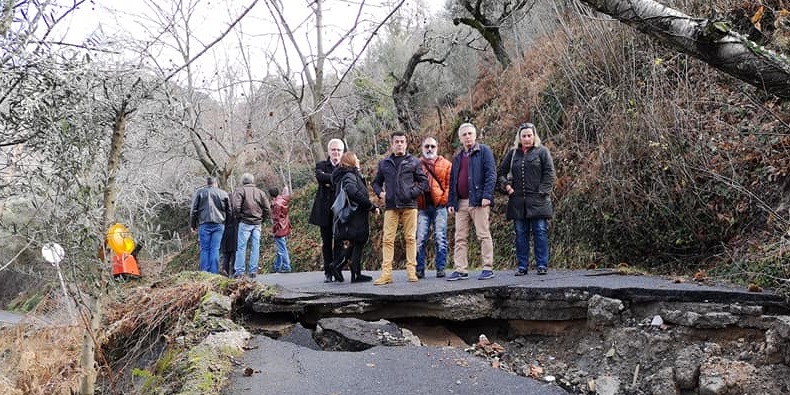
(352, 334)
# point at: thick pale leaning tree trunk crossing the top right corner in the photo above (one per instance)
(710, 41)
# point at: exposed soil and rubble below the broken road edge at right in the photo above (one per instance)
(637, 358)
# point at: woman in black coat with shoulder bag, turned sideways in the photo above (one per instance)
(354, 232)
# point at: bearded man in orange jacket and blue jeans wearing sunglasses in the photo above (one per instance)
(432, 207)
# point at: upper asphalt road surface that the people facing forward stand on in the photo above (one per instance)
(298, 286)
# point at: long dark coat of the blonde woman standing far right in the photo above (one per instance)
(532, 178)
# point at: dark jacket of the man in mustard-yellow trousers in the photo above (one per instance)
(402, 183)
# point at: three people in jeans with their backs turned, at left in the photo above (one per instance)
(229, 222)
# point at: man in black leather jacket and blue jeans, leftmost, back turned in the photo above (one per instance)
(210, 206)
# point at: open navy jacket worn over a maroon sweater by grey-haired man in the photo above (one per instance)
(482, 176)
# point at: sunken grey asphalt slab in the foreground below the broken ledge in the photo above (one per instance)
(282, 367)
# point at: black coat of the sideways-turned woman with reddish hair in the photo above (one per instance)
(357, 228)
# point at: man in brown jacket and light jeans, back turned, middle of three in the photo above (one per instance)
(251, 208)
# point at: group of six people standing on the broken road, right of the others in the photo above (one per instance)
(420, 193)
